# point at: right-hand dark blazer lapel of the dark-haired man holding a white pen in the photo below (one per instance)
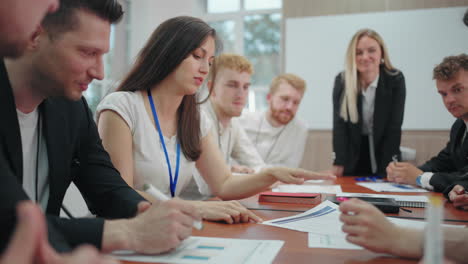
(55, 132)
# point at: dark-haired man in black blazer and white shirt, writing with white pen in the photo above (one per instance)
(48, 139)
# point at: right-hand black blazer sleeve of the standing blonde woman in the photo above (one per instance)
(392, 133)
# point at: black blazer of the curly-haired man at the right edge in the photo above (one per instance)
(450, 166)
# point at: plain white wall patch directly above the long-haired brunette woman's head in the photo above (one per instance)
(146, 15)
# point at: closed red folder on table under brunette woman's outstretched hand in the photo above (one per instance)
(297, 198)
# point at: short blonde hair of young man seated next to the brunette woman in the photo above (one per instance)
(230, 61)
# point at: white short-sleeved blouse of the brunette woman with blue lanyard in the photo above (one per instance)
(148, 155)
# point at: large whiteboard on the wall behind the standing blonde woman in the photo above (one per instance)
(417, 40)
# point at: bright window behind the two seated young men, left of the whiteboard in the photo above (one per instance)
(251, 28)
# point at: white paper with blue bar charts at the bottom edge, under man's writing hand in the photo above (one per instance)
(210, 250)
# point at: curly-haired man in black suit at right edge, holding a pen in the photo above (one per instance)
(450, 166)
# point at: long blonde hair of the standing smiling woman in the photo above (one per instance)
(351, 81)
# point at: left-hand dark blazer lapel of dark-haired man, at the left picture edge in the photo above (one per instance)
(9, 129)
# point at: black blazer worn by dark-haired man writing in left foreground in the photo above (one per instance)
(75, 153)
